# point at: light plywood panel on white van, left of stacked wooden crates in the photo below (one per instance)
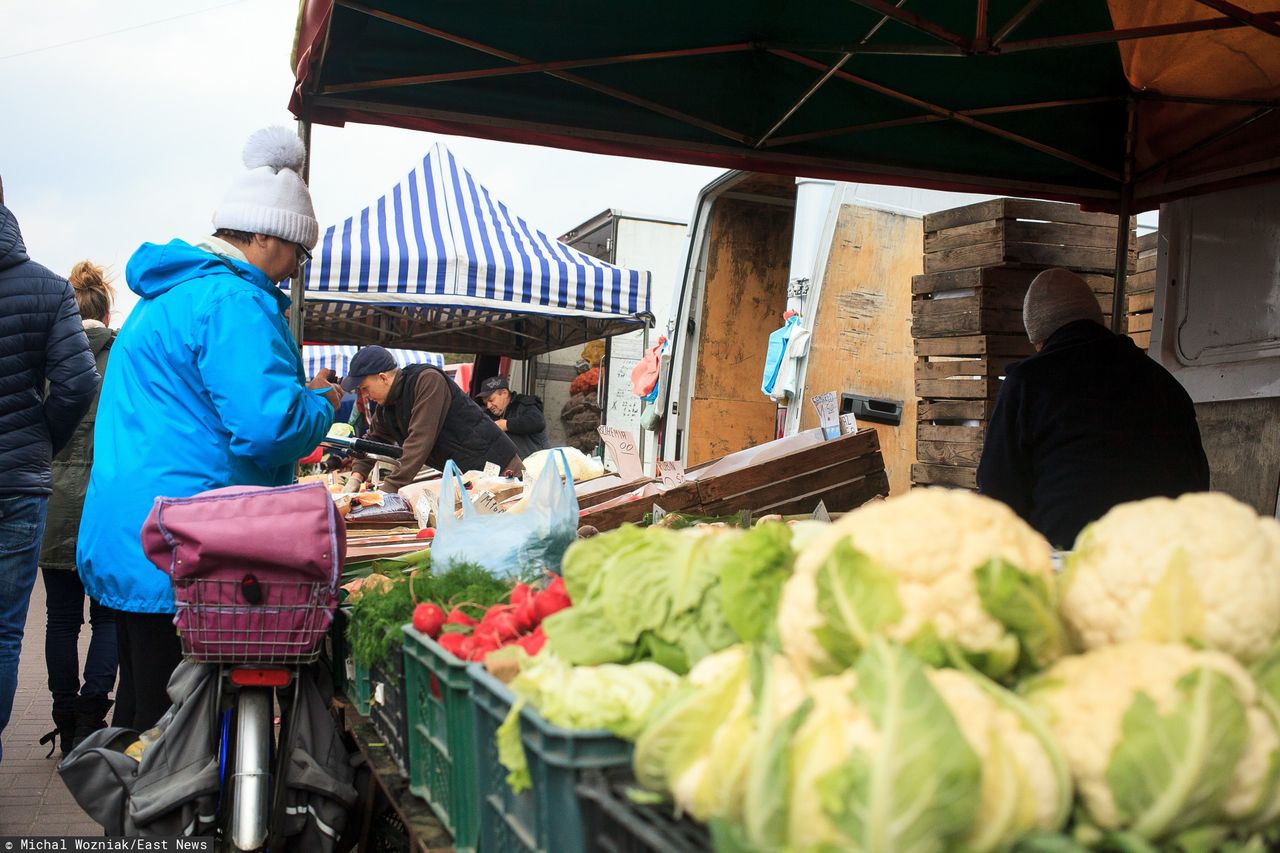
(862, 326)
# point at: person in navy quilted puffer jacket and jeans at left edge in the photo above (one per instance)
(43, 345)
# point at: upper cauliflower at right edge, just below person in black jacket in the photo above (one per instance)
(1203, 568)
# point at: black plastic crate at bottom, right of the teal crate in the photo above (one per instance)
(614, 824)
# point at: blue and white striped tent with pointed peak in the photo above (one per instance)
(438, 263)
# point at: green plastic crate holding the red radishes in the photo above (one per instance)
(442, 759)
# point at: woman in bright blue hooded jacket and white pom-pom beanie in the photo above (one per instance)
(207, 391)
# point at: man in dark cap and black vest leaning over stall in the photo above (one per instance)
(428, 416)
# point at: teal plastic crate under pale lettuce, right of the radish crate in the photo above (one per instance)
(546, 819)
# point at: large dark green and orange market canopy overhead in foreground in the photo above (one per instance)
(1063, 99)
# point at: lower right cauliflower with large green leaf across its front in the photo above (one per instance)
(1163, 738)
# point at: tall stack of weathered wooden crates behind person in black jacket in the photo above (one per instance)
(967, 314)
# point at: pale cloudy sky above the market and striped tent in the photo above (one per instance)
(125, 122)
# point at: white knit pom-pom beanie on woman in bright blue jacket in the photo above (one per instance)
(272, 198)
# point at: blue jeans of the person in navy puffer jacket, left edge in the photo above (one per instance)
(22, 526)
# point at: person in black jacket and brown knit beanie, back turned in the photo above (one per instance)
(1086, 423)
